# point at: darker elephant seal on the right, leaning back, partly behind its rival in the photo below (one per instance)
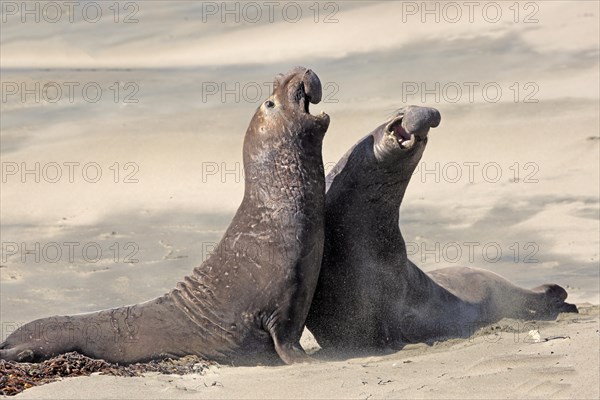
(369, 294)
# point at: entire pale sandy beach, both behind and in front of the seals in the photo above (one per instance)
(514, 166)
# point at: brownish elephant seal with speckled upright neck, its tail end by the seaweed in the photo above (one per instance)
(253, 294)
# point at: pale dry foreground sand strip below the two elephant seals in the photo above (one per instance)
(510, 359)
